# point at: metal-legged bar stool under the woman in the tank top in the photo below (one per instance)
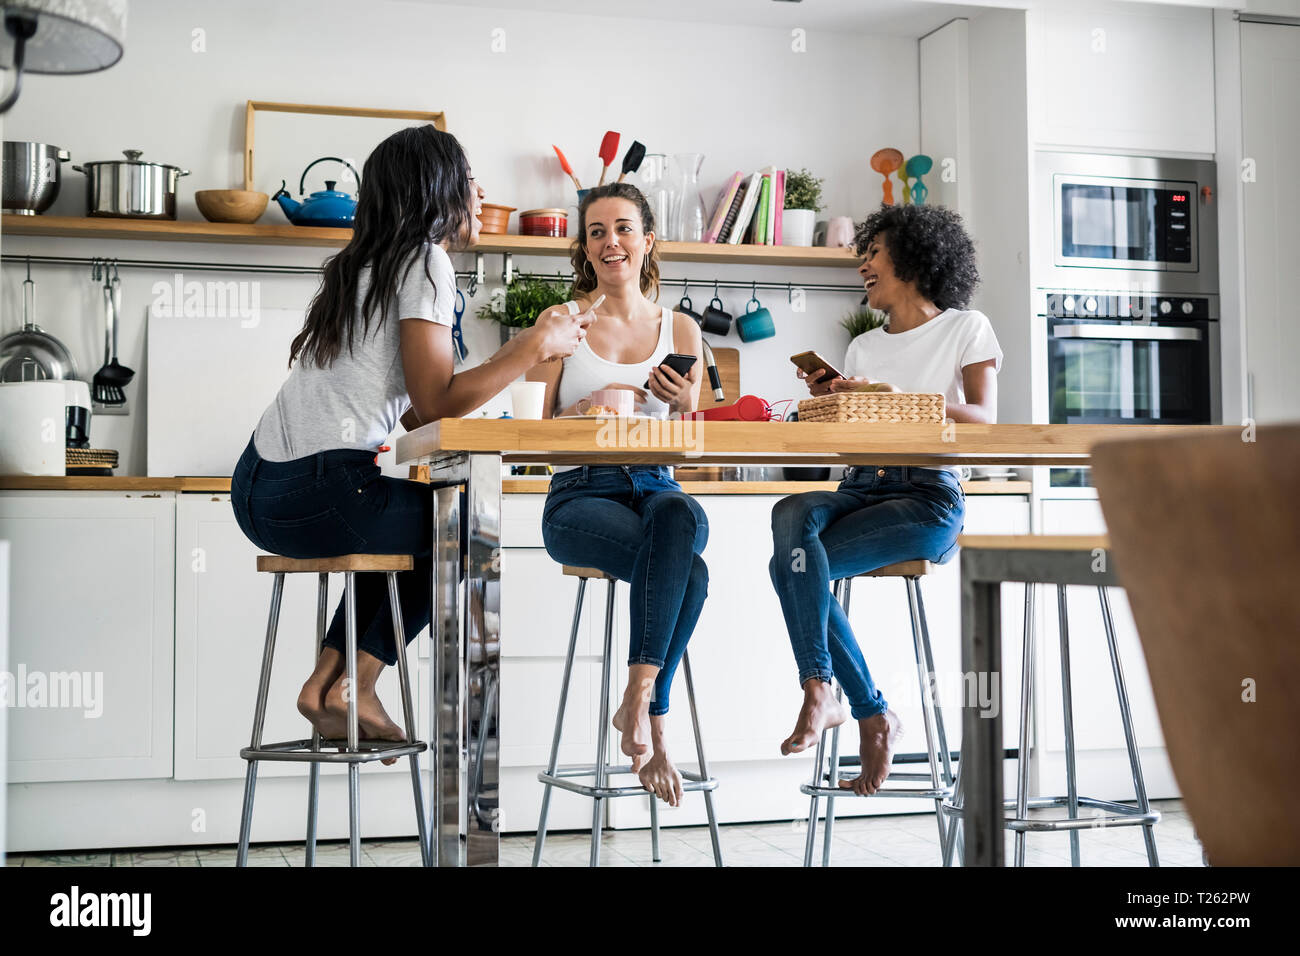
(601, 771)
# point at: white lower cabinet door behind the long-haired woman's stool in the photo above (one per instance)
(222, 609)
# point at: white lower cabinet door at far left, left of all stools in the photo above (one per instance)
(90, 634)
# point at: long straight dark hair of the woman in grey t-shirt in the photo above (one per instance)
(415, 189)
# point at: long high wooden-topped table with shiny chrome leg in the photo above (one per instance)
(465, 458)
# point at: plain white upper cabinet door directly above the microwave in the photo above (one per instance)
(1113, 79)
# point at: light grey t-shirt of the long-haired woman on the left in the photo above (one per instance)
(357, 403)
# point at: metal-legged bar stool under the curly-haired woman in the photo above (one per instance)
(938, 785)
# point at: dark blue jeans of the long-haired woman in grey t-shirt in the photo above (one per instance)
(337, 503)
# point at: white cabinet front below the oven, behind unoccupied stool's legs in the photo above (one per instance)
(1099, 733)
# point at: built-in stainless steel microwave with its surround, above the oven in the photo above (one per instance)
(1129, 222)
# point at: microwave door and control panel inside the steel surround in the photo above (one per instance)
(1130, 224)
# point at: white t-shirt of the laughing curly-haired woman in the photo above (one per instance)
(929, 358)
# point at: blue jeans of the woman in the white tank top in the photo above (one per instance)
(636, 524)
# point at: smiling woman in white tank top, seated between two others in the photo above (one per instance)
(635, 522)
